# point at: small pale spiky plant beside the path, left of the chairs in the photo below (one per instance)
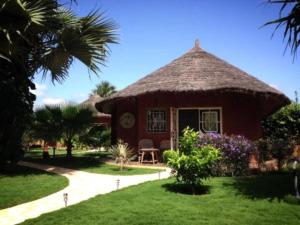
(122, 153)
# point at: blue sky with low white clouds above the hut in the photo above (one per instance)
(153, 33)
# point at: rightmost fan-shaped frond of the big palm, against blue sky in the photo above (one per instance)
(88, 43)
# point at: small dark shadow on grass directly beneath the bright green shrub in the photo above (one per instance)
(186, 189)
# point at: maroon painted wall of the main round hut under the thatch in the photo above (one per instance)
(241, 113)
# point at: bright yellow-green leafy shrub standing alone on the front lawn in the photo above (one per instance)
(191, 162)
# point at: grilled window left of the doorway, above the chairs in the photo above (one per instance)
(156, 121)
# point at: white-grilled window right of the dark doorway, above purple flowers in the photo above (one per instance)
(210, 120)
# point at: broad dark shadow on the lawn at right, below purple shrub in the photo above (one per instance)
(274, 186)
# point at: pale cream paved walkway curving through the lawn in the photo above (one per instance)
(82, 186)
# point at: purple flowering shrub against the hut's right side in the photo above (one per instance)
(235, 151)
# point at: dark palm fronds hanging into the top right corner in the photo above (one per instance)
(290, 22)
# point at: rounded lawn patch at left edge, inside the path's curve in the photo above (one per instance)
(21, 184)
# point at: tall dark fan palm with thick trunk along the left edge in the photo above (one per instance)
(41, 35)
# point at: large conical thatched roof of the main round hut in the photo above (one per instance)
(197, 70)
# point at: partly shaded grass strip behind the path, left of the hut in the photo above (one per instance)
(89, 162)
